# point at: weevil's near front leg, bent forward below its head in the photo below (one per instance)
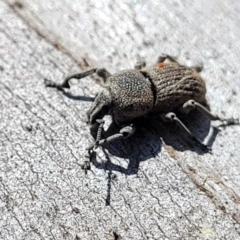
(125, 132)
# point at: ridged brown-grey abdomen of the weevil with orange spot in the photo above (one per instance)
(174, 85)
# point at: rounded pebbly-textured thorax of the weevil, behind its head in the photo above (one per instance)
(131, 94)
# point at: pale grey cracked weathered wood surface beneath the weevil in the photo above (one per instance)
(163, 188)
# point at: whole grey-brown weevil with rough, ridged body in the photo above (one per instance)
(161, 89)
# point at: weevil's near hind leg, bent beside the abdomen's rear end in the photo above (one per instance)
(191, 104)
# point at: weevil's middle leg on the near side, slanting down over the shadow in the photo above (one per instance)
(171, 117)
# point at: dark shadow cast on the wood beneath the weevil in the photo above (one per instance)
(148, 140)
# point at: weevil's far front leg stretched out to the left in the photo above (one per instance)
(102, 72)
